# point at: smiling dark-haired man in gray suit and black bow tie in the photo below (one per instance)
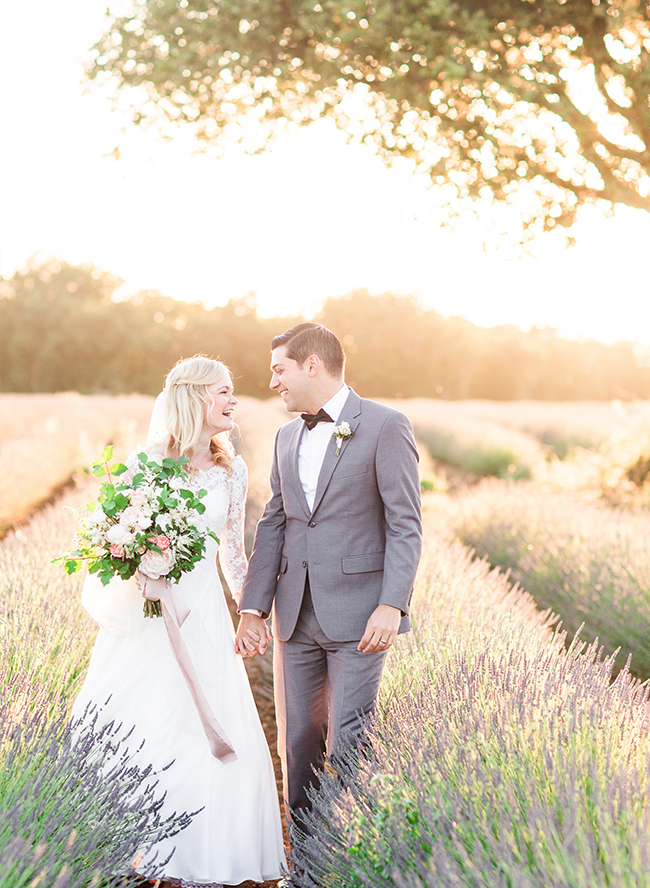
(335, 553)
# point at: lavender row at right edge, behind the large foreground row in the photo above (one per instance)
(586, 561)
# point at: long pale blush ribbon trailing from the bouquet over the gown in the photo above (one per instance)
(174, 614)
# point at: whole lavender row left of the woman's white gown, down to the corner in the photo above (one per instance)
(71, 814)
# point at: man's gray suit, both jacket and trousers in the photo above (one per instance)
(324, 571)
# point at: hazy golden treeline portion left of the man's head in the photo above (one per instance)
(60, 330)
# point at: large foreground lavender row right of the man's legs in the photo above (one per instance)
(496, 759)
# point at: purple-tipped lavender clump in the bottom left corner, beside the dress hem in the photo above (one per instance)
(74, 811)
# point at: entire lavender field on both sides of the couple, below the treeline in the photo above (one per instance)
(498, 757)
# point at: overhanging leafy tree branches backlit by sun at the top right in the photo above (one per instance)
(539, 102)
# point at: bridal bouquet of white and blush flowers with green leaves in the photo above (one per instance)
(148, 523)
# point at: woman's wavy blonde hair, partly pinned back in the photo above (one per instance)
(187, 399)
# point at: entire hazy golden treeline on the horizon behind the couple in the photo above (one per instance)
(62, 330)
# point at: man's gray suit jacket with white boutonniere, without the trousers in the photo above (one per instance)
(360, 543)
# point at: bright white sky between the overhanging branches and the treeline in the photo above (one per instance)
(310, 219)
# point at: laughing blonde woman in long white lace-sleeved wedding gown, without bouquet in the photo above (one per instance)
(135, 678)
